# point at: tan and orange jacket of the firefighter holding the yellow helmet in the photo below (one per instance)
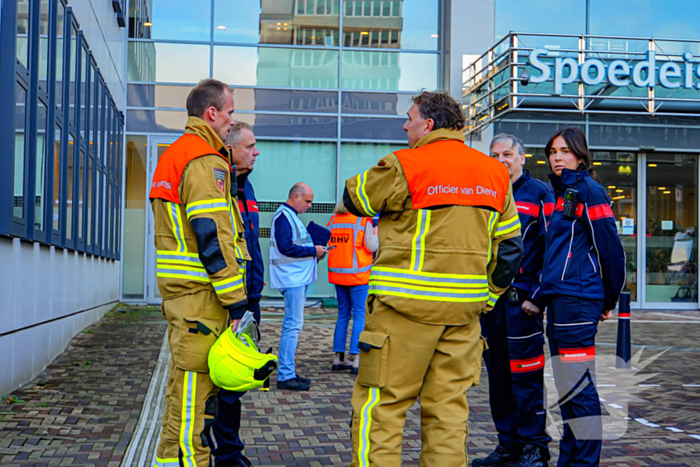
(198, 227)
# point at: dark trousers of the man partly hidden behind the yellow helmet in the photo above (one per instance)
(224, 438)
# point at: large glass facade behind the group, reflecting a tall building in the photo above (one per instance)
(324, 83)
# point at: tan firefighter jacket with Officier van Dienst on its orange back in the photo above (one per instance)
(449, 233)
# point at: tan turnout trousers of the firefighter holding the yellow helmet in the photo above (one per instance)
(194, 323)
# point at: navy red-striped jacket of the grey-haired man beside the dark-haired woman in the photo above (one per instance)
(535, 202)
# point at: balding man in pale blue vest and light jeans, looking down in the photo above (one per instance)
(293, 258)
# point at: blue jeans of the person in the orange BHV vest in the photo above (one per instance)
(351, 300)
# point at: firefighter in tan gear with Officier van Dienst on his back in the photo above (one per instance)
(449, 238)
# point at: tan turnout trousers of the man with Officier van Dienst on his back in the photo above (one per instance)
(401, 360)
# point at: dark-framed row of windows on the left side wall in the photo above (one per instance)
(49, 132)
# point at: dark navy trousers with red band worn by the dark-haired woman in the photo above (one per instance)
(572, 324)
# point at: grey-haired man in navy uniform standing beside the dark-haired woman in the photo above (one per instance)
(514, 328)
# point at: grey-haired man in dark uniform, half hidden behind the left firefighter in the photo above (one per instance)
(227, 446)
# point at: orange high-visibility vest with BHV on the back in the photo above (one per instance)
(349, 261)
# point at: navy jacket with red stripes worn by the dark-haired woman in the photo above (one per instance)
(583, 256)
